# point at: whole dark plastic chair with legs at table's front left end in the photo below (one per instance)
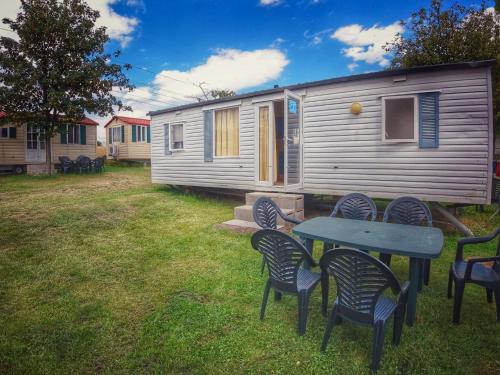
(284, 257)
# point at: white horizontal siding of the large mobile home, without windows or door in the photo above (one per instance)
(344, 153)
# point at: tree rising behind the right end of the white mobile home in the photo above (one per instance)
(457, 34)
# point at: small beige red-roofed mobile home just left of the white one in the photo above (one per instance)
(128, 138)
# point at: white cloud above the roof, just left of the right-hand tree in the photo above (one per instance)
(367, 44)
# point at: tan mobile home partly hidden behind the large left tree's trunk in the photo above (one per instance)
(23, 148)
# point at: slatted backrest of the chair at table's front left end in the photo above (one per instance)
(283, 255)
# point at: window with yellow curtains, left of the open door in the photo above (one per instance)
(227, 132)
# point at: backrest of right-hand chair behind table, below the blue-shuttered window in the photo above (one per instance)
(408, 210)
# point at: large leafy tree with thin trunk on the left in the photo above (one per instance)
(57, 71)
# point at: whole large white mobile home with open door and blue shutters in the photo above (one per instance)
(425, 132)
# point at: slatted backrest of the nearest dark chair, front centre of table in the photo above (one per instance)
(361, 280)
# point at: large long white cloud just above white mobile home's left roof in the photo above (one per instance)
(229, 69)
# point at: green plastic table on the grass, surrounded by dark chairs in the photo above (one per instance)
(417, 243)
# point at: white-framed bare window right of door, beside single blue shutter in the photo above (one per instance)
(400, 119)
